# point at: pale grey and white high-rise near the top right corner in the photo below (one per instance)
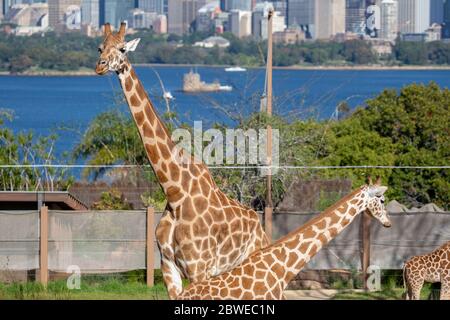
(413, 16)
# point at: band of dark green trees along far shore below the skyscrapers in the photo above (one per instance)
(73, 51)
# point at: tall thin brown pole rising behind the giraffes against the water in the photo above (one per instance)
(268, 210)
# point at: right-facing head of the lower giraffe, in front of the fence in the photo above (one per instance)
(375, 204)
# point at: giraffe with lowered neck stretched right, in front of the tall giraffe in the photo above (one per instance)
(266, 273)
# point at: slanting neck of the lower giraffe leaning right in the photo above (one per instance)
(295, 250)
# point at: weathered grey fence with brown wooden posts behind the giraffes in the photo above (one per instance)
(363, 243)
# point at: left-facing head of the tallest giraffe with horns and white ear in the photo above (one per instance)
(113, 51)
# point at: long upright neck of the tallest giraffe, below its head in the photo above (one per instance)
(158, 144)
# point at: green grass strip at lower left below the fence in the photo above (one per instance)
(103, 287)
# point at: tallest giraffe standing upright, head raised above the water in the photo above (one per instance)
(202, 232)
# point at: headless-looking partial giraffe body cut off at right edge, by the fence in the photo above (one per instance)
(432, 267)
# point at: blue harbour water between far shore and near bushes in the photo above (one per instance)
(44, 104)
